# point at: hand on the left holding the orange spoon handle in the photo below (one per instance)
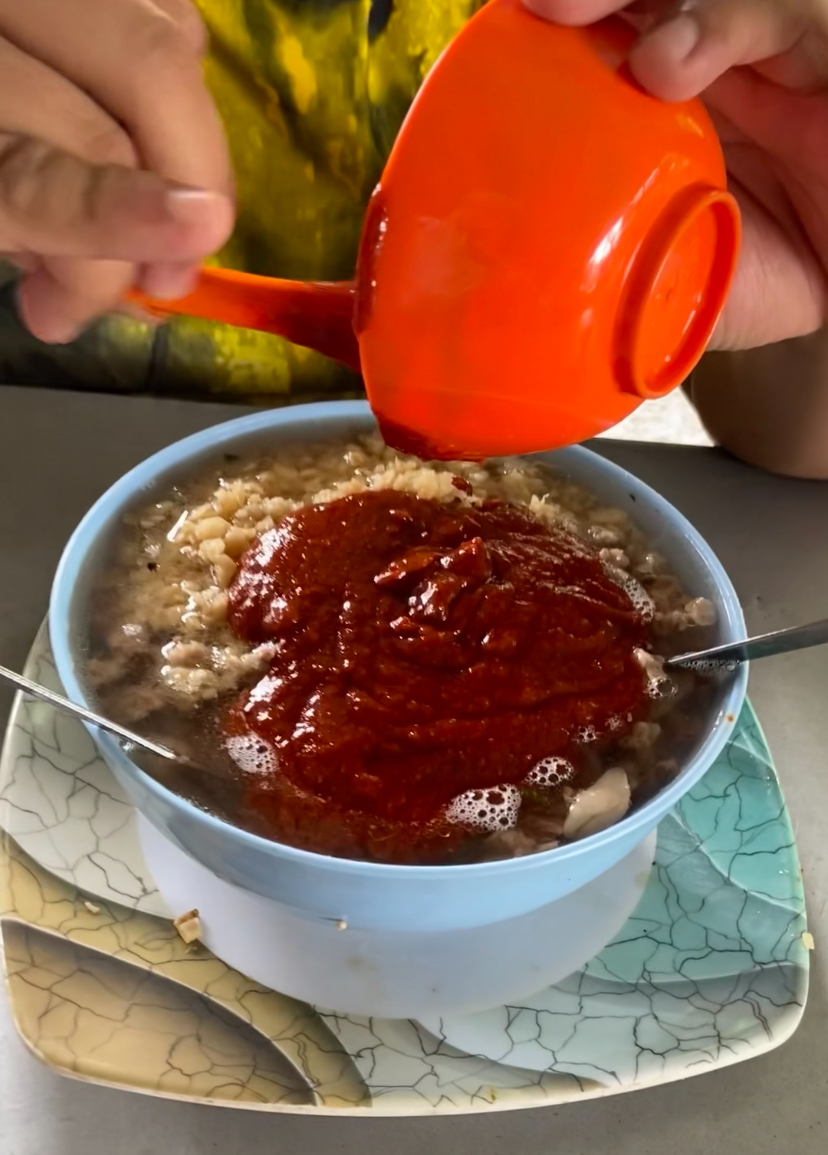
(114, 166)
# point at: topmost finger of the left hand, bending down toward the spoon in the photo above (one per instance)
(145, 72)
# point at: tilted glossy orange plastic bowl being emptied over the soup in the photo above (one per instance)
(549, 247)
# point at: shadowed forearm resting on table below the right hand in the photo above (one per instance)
(770, 406)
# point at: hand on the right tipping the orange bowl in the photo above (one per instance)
(762, 69)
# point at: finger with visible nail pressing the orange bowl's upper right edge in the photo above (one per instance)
(684, 56)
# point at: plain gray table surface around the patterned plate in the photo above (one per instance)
(58, 452)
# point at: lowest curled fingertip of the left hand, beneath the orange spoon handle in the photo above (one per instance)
(63, 296)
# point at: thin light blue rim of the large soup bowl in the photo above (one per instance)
(123, 494)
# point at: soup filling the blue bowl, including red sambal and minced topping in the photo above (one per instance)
(374, 658)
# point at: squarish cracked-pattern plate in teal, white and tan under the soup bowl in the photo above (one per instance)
(712, 970)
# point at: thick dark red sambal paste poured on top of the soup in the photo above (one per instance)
(424, 650)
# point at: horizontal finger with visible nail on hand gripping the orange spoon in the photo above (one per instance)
(55, 205)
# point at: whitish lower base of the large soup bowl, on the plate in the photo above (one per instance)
(394, 975)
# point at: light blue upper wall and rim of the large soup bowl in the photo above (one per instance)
(371, 896)
